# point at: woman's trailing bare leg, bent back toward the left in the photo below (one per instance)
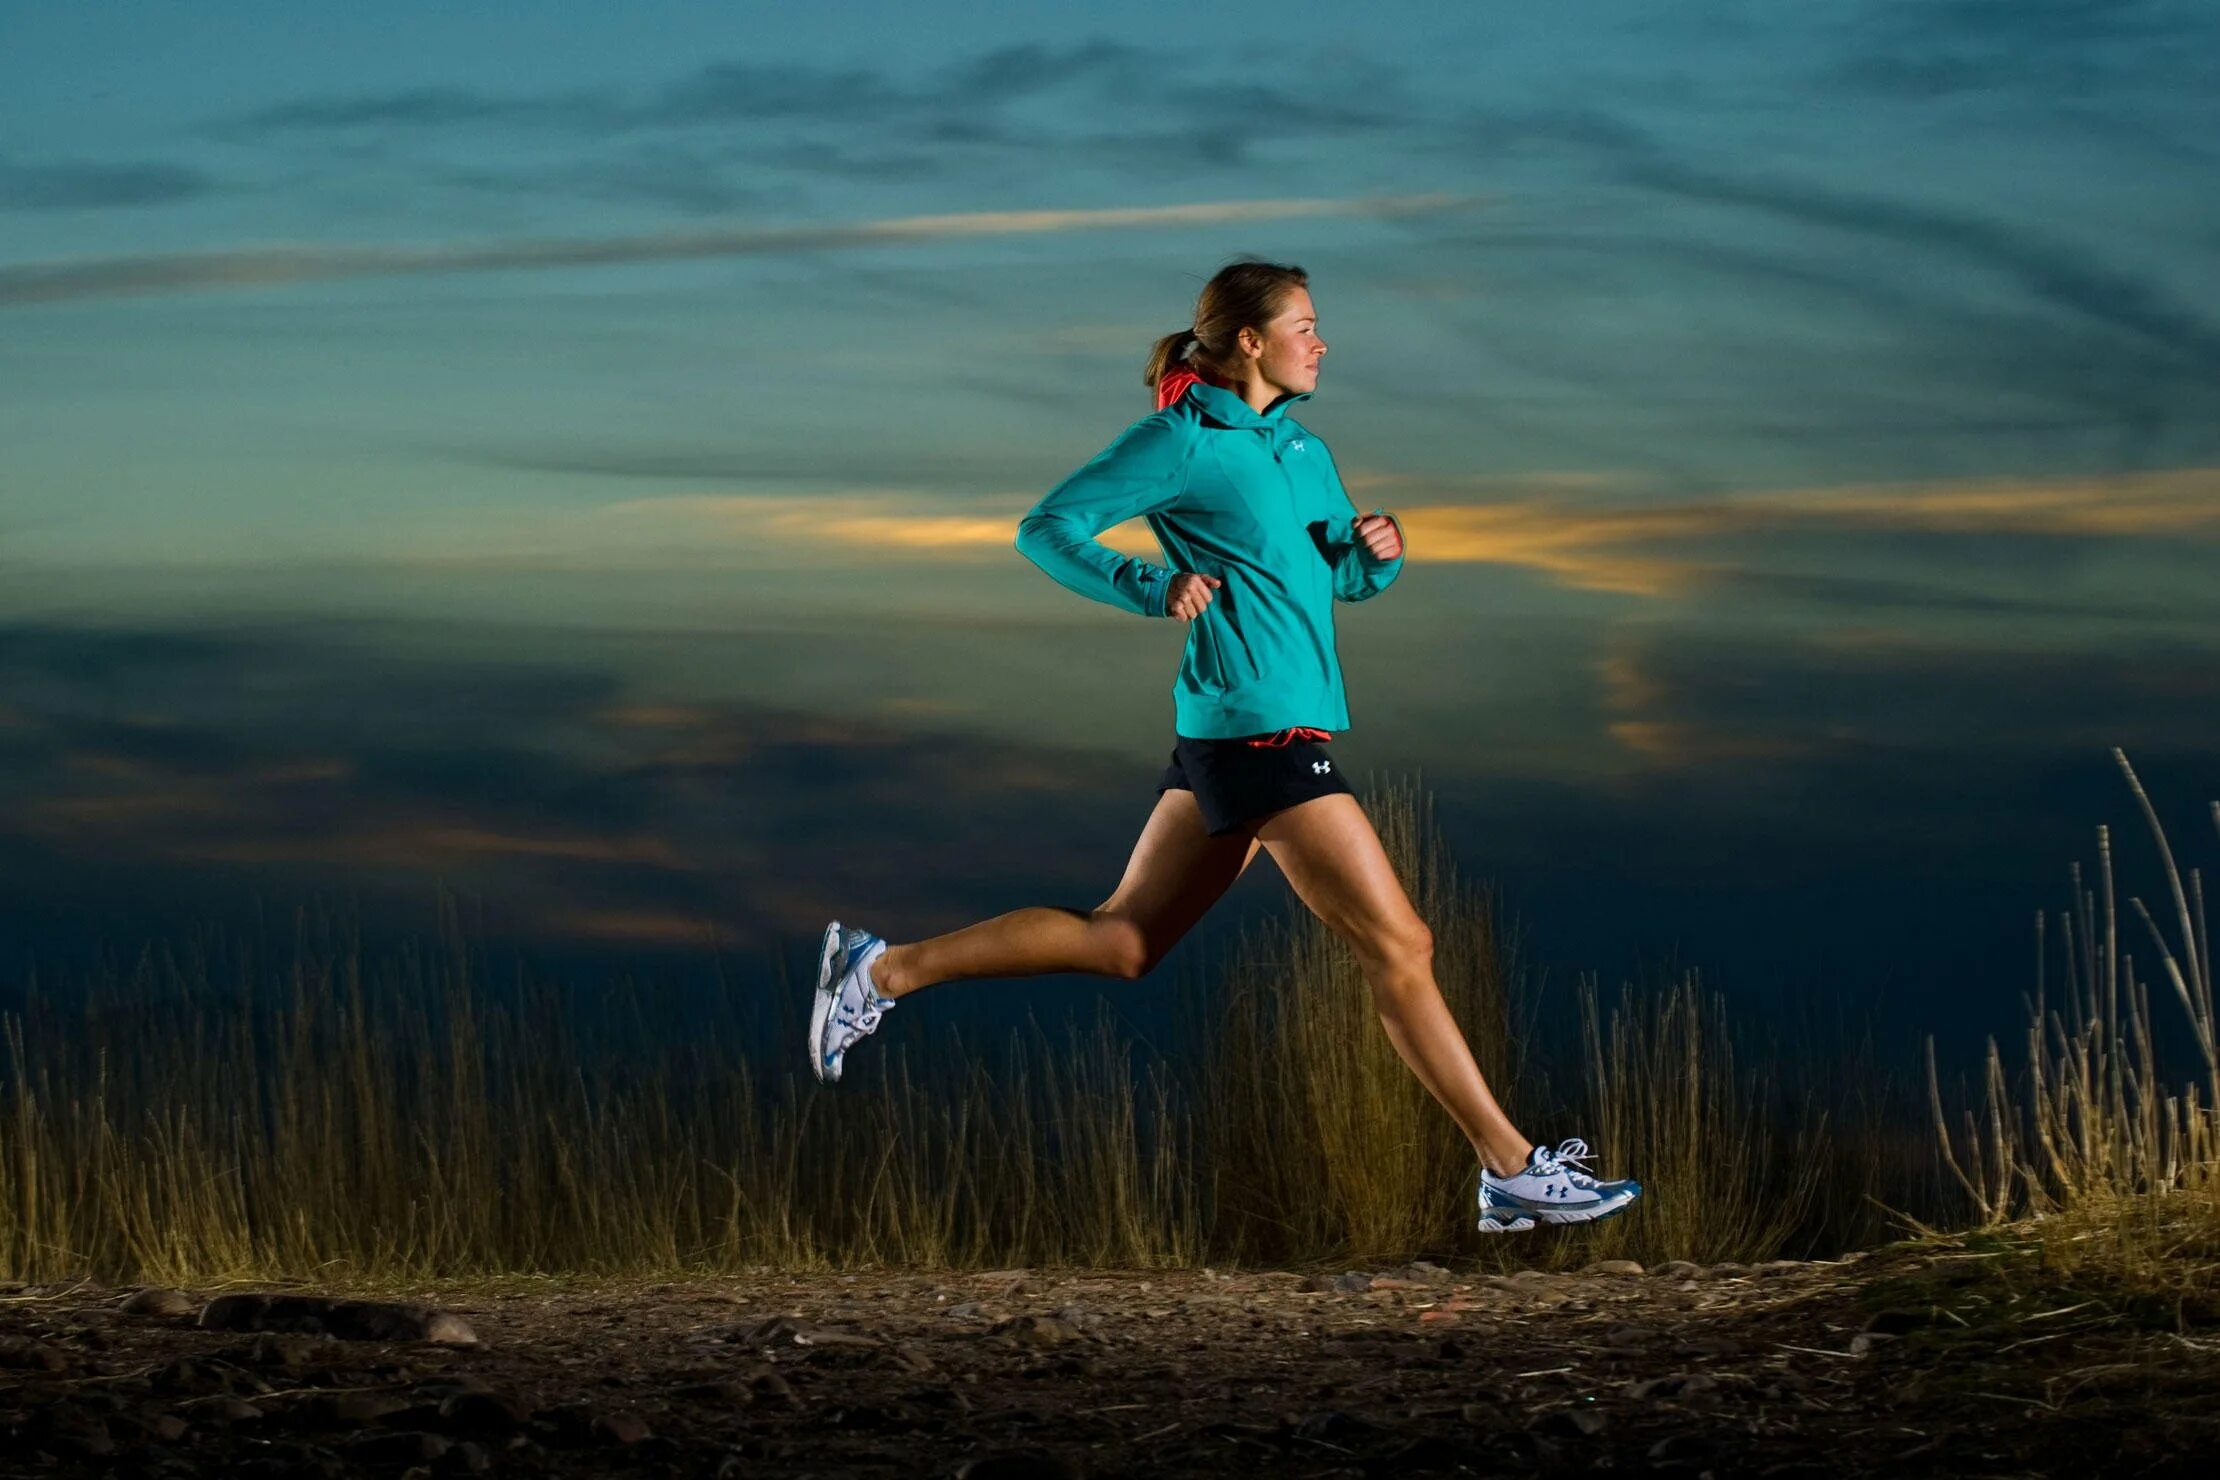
(1178, 871)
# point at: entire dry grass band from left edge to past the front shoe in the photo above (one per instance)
(208, 1117)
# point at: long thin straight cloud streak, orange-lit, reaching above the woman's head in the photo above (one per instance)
(43, 283)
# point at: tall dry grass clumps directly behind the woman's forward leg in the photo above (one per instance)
(1331, 1148)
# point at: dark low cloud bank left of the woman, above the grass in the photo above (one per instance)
(585, 811)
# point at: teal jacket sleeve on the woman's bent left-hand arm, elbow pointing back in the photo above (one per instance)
(1138, 474)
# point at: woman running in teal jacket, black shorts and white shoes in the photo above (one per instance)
(1264, 540)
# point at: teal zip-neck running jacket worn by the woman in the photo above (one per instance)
(1253, 500)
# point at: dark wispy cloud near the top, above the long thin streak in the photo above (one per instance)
(993, 112)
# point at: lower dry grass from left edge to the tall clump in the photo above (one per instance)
(390, 1135)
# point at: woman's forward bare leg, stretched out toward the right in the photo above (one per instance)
(1335, 862)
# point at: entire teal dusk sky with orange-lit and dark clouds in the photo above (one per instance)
(572, 456)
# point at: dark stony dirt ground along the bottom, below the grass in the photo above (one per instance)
(1915, 1361)
